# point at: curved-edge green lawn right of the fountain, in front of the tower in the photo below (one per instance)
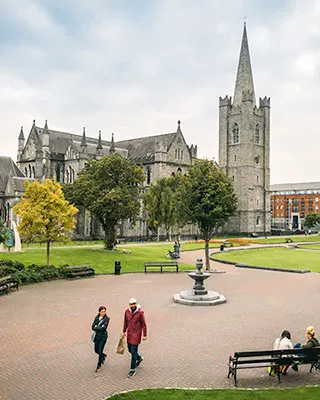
(275, 257)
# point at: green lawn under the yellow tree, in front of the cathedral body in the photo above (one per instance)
(102, 261)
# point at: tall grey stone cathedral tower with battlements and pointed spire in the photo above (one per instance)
(244, 149)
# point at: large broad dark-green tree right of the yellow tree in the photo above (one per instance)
(109, 189)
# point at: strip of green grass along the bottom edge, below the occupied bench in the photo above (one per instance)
(307, 393)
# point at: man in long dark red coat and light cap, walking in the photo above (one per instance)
(135, 327)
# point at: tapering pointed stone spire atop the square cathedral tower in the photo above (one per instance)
(244, 81)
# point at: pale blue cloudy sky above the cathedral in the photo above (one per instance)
(136, 67)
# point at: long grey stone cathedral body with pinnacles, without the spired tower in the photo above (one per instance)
(47, 153)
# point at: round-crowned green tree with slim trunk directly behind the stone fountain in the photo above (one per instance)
(208, 199)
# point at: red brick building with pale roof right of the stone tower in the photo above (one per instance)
(291, 202)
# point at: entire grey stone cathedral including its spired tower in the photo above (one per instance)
(244, 154)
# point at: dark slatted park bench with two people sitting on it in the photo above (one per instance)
(273, 358)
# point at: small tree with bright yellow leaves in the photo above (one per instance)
(45, 214)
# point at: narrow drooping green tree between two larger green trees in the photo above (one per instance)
(160, 203)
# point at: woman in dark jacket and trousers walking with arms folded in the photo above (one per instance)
(100, 326)
